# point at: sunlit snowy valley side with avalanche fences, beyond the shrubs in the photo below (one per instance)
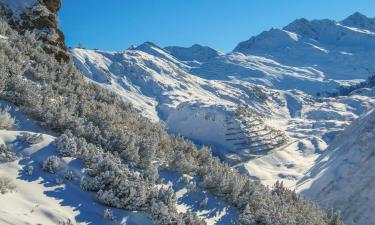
(205, 111)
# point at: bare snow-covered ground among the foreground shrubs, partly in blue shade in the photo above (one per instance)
(41, 198)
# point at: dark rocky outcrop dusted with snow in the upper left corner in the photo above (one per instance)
(39, 17)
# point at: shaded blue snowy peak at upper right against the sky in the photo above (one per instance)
(339, 50)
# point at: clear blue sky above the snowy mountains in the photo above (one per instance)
(221, 24)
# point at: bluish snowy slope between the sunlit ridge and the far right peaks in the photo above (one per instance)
(265, 71)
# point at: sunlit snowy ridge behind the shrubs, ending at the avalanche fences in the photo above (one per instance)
(160, 88)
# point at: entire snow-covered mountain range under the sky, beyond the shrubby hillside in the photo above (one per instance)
(256, 106)
